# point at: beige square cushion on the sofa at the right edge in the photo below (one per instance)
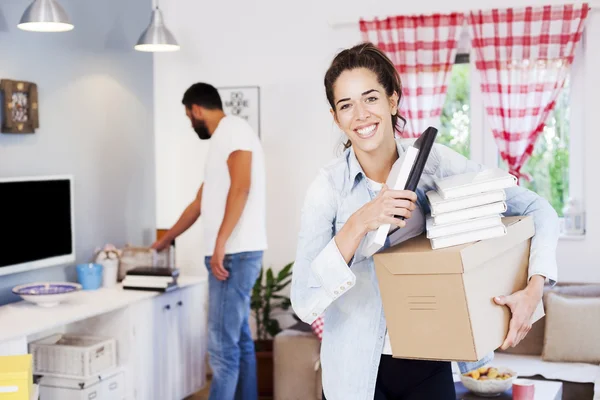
(572, 327)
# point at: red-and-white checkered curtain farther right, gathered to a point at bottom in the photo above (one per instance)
(523, 57)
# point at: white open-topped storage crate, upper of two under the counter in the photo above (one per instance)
(71, 356)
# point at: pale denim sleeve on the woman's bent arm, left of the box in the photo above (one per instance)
(320, 273)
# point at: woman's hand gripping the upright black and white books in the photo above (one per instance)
(386, 208)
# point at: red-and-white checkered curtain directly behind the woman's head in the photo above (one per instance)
(423, 49)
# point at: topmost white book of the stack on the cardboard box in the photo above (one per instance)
(470, 183)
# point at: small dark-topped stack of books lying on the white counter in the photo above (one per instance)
(160, 279)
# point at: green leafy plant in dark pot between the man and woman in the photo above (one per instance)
(267, 298)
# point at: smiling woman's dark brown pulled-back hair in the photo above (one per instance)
(366, 55)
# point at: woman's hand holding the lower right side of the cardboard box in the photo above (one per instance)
(522, 305)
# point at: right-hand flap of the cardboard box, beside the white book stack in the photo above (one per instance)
(519, 229)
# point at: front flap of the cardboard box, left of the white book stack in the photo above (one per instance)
(415, 257)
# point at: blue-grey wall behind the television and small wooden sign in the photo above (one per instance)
(95, 99)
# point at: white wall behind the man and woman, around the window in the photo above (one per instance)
(285, 48)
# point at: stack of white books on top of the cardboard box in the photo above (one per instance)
(468, 207)
